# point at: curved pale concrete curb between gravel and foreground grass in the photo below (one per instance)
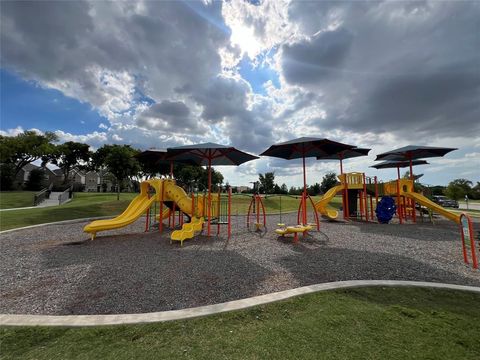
(96, 320)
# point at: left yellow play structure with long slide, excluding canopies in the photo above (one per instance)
(171, 201)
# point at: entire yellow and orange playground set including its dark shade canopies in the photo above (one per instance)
(162, 199)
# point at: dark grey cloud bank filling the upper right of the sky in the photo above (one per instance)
(411, 68)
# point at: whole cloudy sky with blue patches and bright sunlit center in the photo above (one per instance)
(159, 74)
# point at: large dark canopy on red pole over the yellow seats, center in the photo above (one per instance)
(305, 147)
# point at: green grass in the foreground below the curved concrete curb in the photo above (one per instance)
(363, 323)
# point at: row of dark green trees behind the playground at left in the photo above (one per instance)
(119, 160)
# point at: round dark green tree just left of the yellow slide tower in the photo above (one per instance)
(119, 161)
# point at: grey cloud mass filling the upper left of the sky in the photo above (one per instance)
(69, 45)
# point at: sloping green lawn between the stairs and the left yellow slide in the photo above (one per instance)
(83, 205)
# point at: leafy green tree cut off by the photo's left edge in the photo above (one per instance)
(25, 148)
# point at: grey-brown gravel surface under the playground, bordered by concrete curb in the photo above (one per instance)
(57, 270)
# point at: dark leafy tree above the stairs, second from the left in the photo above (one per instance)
(70, 154)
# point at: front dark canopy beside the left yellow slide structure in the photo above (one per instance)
(218, 154)
